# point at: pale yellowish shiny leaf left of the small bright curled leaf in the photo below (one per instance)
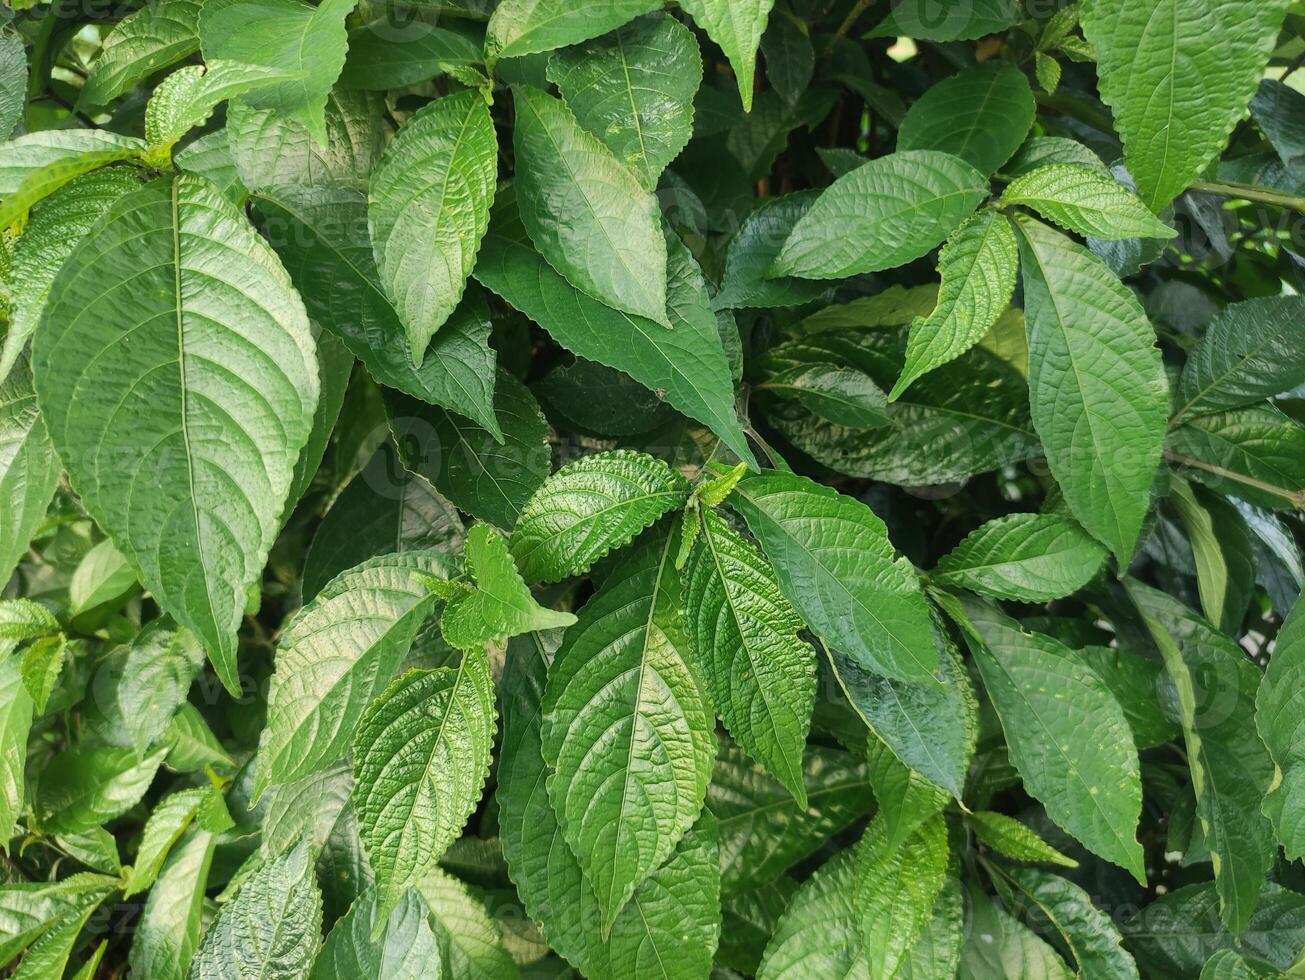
(337, 656)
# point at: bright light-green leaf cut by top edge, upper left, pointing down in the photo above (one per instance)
(289, 36)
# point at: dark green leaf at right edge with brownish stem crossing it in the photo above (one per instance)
(1256, 453)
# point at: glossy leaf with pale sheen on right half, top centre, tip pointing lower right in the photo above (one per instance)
(575, 194)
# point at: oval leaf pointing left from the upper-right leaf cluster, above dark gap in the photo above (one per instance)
(883, 215)
